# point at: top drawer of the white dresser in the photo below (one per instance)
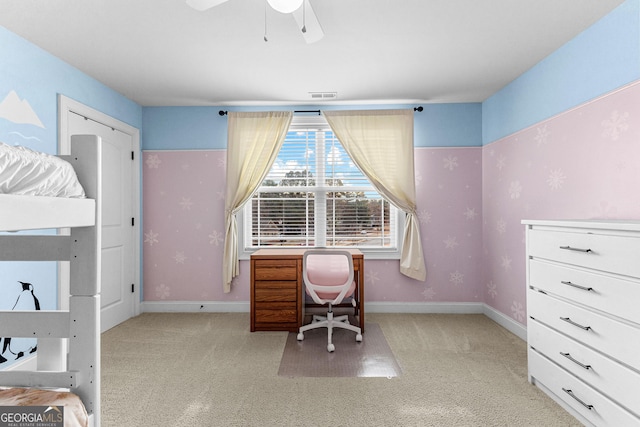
(616, 254)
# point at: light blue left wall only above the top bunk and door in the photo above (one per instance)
(37, 77)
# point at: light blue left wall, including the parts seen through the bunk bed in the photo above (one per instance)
(30, 81)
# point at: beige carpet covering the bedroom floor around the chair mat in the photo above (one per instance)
(209, 370)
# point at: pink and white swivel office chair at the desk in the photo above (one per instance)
(328, 278)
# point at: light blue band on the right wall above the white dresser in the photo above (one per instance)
(600, 59)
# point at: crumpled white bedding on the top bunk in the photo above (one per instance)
(27, 172)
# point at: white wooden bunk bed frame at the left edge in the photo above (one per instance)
(68, 355)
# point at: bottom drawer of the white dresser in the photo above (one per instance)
(583, 399)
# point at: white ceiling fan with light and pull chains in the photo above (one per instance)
(300, 9)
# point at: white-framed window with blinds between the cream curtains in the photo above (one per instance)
(314, 195)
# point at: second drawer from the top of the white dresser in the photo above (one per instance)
(614, 295)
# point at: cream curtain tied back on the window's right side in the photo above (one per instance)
(380, 142)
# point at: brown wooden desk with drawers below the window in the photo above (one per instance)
(277, 289)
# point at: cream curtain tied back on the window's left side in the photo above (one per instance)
(253, 142)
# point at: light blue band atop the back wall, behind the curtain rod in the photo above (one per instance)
(195, 128)
